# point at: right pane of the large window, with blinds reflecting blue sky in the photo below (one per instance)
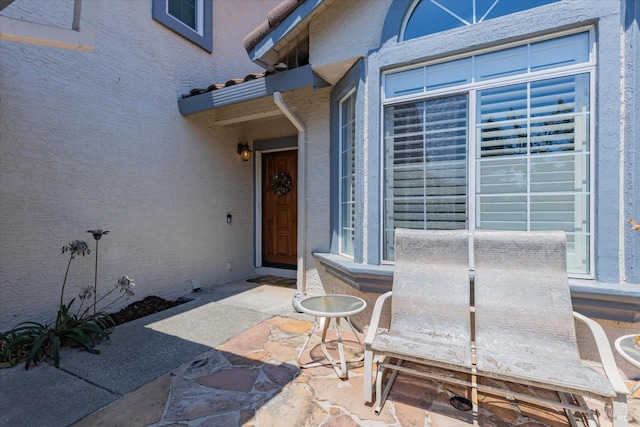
(532, 160)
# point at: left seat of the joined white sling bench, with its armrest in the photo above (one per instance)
(430, 316)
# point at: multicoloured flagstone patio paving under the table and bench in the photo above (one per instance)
(252, 380)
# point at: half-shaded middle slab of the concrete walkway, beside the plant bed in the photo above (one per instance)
(168, 339)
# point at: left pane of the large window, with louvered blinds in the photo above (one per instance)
(425, 166)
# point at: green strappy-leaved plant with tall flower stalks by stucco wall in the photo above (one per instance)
(32, 342)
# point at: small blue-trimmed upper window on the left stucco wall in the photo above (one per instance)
(192, 19)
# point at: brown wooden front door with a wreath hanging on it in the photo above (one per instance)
(280, 209)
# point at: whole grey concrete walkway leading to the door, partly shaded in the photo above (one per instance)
(139, 352)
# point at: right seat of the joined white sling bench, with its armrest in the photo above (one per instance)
(524, 321)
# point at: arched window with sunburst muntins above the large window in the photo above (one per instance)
(433, 16)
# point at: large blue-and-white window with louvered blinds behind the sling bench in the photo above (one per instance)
(499, 141)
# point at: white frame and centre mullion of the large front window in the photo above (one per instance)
(471, 89)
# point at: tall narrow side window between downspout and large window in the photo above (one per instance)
(347, 174)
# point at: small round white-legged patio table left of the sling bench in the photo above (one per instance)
(325, 308)
